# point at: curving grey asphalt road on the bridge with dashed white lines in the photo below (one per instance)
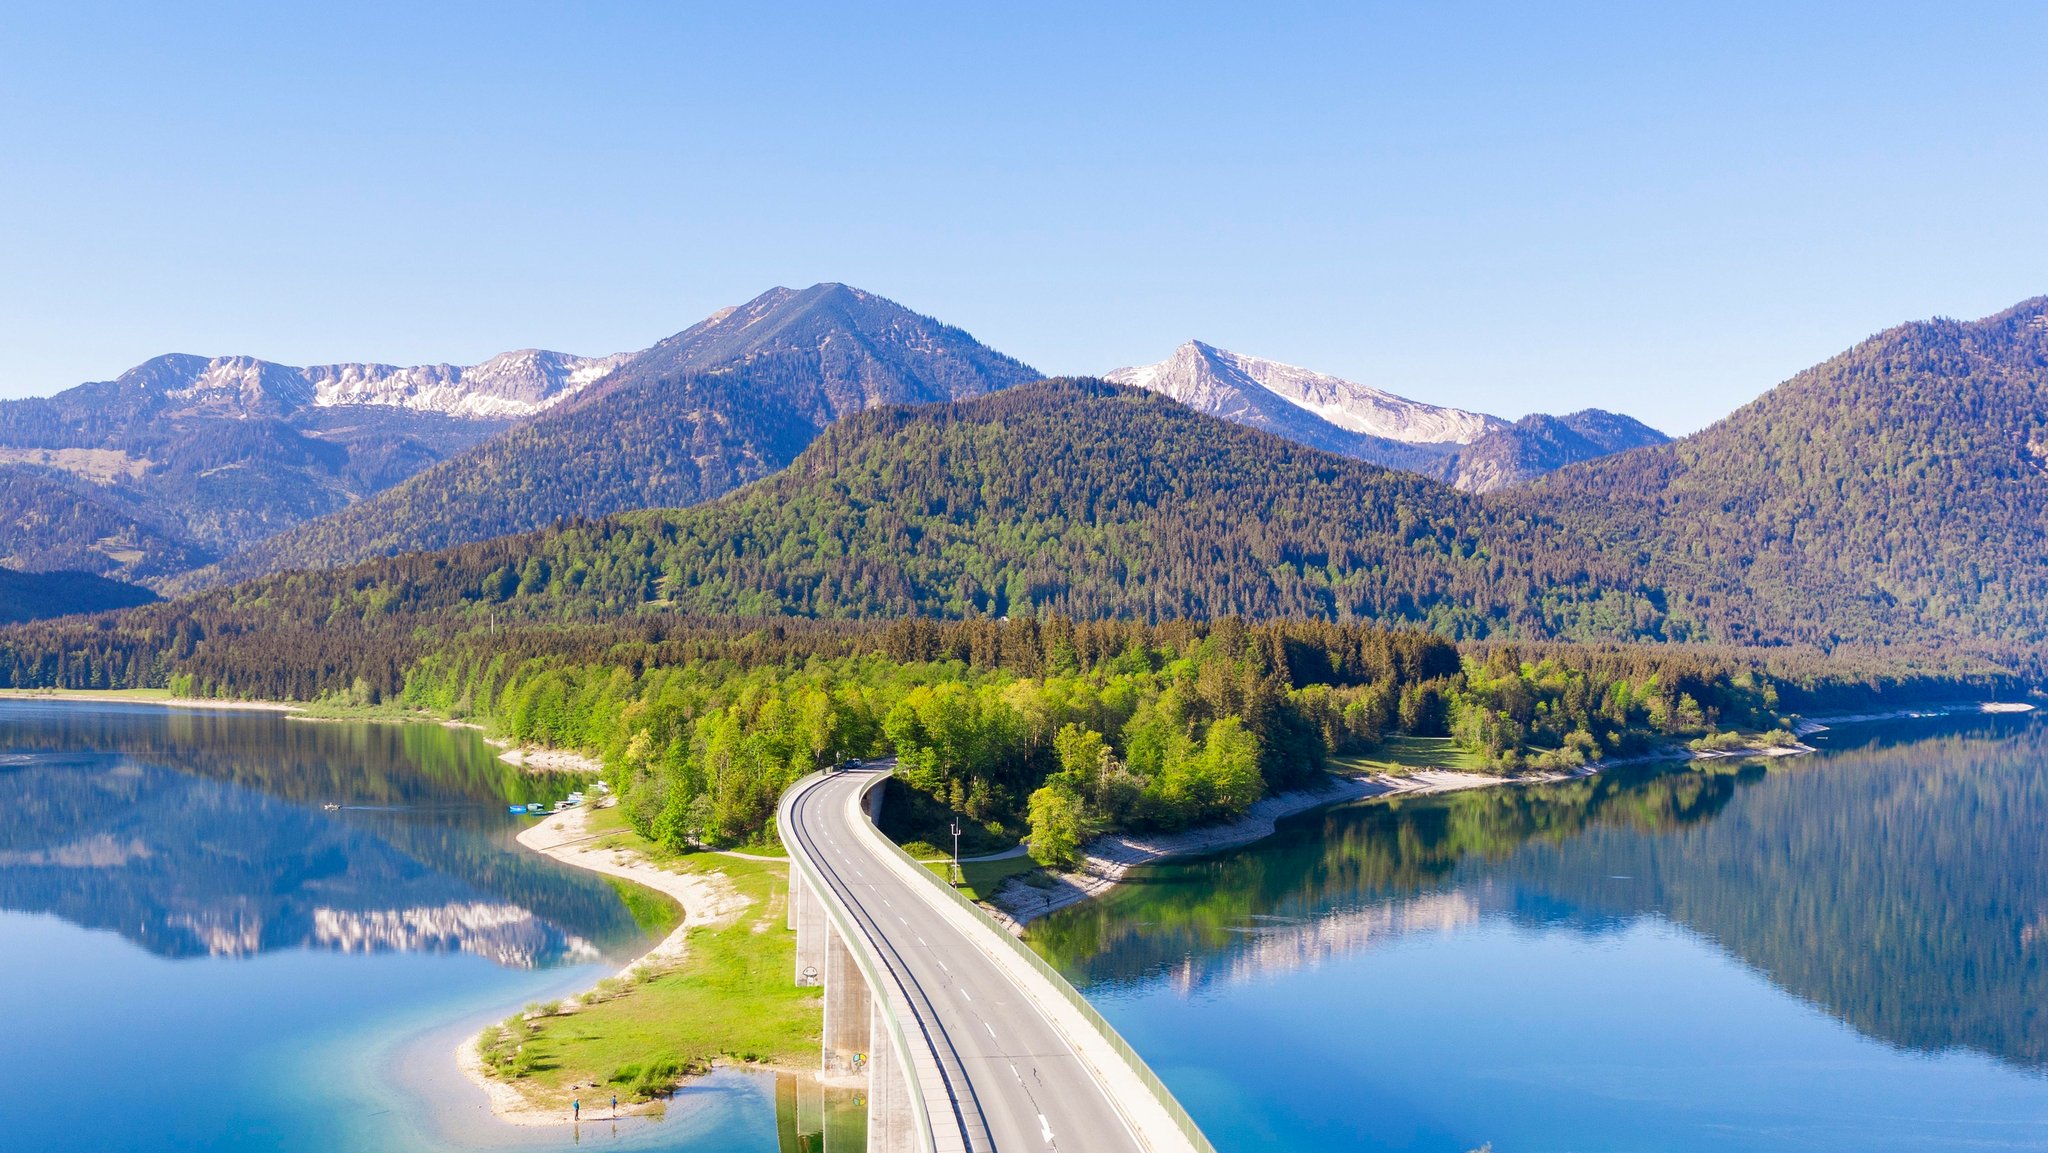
(1023, 1088)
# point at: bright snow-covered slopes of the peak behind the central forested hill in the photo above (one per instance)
(1230, 384)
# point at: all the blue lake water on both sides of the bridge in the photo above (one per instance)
(1846, 951)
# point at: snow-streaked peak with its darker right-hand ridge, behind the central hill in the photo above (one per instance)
(1469, 450)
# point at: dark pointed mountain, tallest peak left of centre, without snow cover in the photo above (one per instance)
(699, 415)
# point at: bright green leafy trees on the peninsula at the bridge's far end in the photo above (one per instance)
(978, 714)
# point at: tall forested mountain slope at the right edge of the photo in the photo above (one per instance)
(1895, 497)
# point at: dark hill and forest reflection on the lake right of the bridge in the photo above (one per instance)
(1900, 882)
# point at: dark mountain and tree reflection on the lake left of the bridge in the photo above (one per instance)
(208, 835)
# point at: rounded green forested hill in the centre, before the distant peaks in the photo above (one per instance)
(1062, 497)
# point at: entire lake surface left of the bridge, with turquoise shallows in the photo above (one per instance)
(200, 953)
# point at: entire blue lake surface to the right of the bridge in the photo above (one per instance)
(1842, 951)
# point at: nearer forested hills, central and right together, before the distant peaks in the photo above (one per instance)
(1893, 499)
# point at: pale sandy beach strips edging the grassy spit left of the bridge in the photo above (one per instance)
(708, 900)
